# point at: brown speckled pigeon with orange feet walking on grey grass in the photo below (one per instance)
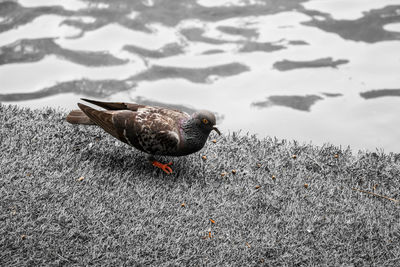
(157, 131)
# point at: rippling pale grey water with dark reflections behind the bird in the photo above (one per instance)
(315, 71)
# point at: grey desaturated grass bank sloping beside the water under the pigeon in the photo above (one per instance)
(72, 195)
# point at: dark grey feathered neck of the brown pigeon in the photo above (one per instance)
(194, 138)
